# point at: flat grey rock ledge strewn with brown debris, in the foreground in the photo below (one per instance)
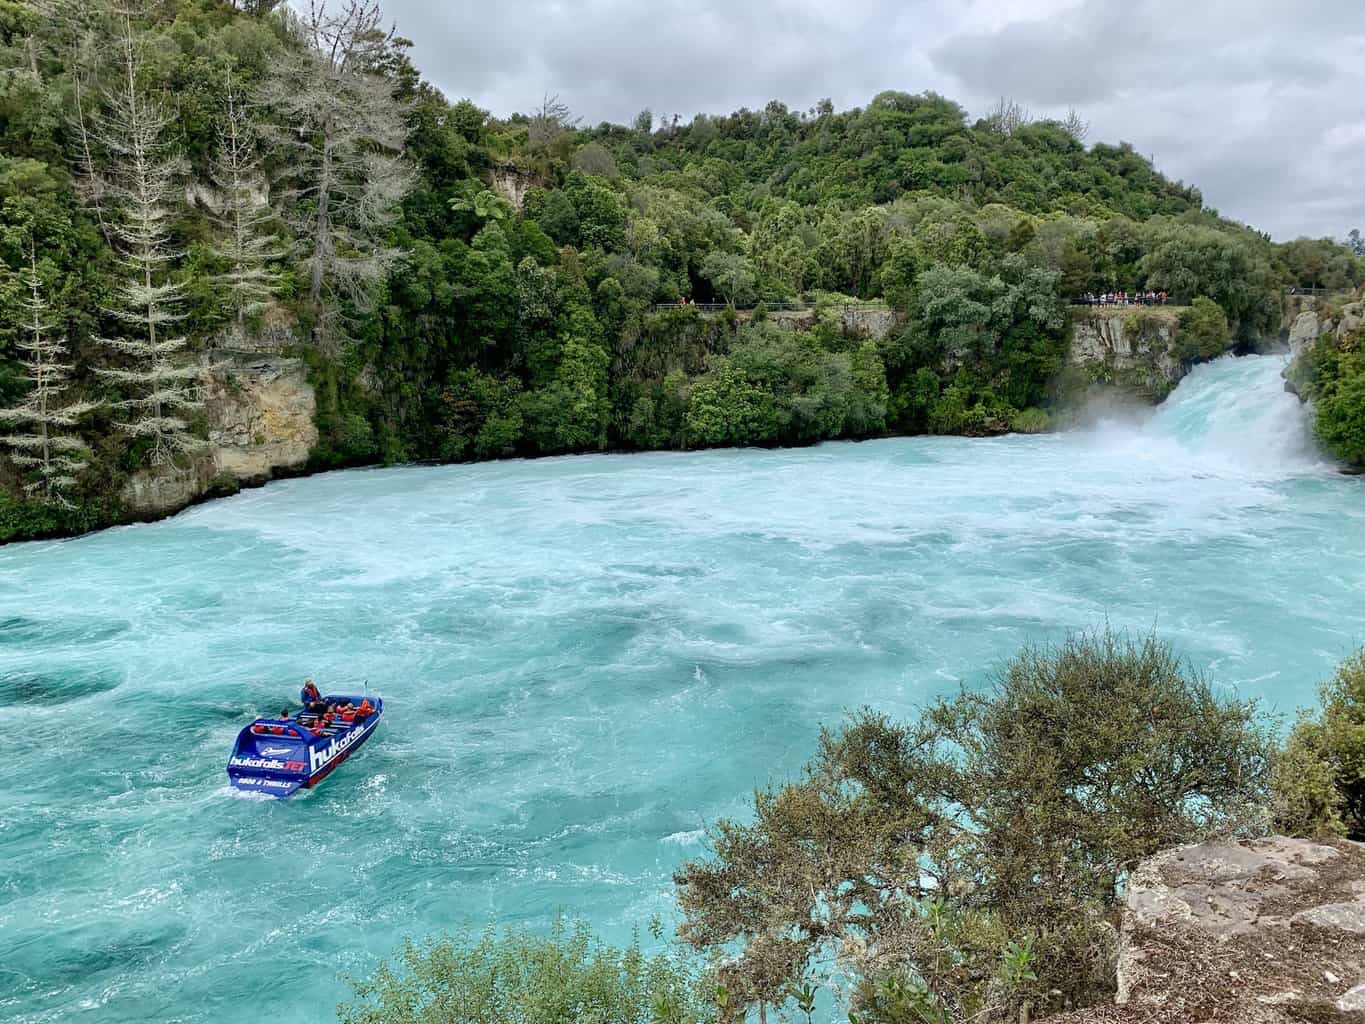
(1263, 932)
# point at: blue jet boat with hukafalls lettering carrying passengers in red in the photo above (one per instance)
(282, 756)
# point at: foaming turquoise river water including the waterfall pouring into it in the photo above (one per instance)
(586, 662)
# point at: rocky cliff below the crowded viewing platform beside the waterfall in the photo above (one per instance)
(1135, 350)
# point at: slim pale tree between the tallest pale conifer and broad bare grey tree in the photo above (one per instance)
(246, 245)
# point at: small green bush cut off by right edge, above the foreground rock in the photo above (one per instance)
(1319, 780)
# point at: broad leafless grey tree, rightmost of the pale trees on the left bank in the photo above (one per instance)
(347, 132)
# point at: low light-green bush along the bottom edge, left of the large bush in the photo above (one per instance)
(521, 978)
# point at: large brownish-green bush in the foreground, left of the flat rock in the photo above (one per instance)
(970, 866)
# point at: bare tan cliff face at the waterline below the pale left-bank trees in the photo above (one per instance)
(260, 410)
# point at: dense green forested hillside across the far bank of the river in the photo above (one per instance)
(186, 178)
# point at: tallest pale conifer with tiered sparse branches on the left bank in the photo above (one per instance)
(159, 383)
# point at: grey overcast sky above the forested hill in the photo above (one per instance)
(1259, 103)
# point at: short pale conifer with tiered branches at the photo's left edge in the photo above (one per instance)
(43, 446)
